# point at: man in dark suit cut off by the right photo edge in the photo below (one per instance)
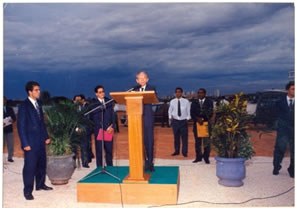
(285, 130)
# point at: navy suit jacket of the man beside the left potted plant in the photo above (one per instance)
(31, 128)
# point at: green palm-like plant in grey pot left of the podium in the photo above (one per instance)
(65, 126)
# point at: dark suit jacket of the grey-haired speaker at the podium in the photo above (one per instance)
(148, 113)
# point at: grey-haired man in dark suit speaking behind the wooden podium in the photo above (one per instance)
(148, 120)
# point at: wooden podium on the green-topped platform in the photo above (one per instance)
(134, 107)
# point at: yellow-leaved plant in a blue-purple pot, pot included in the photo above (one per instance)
(231, 141)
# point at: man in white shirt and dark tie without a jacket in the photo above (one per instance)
(179, 114)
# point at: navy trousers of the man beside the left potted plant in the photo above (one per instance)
(34, 167)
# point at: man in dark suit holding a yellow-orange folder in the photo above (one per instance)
(201, 111)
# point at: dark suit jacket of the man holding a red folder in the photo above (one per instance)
(96, 116)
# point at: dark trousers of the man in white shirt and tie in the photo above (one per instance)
(180, 131)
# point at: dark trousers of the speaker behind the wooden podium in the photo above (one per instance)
(149, 144)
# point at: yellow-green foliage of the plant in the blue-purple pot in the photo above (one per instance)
(229, 136)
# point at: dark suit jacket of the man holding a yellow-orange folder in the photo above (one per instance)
(206, 112)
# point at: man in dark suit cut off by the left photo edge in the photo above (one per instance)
(9, 117)
